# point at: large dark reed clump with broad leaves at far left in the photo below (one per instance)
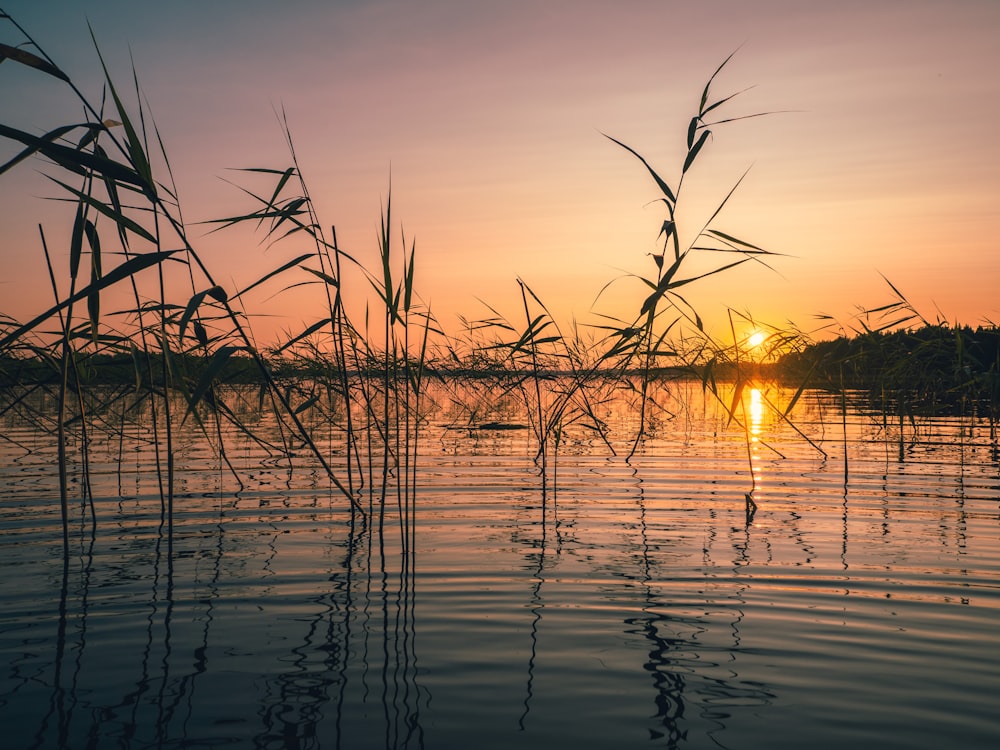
(124, 185)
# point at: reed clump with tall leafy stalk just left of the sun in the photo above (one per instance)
(665, 338)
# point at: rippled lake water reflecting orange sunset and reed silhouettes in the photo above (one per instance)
(634, 607)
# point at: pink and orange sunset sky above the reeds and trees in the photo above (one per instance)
(881, 156)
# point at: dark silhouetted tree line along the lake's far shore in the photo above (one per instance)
(931, 368)
